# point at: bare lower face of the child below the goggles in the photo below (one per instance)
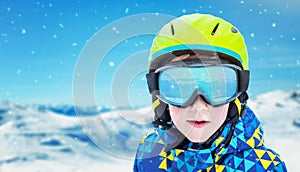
(199, 120)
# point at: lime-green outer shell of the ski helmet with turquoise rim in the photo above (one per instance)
(200, 32)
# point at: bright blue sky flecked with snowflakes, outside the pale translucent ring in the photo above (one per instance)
(41, 41)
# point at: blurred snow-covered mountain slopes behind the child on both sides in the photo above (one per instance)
(52, 138)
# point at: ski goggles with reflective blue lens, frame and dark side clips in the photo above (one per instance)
(181, 85)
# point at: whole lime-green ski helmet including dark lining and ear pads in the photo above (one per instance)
(197, 33)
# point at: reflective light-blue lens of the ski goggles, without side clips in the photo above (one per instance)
(179, 85)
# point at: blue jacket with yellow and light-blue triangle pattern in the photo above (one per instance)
(245, 152)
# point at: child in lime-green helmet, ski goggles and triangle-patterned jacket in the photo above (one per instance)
(198, 77)
